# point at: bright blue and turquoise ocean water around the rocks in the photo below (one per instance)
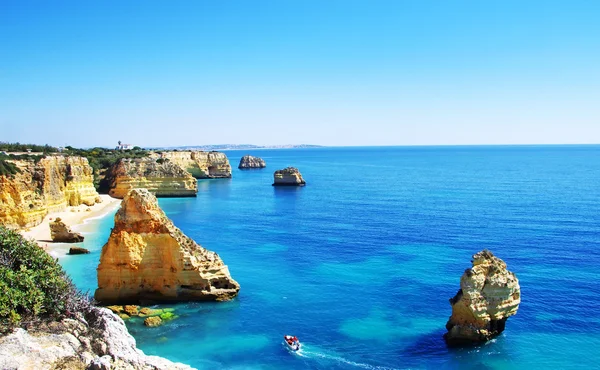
(361, 262)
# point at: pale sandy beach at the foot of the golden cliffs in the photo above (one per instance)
(72, 216)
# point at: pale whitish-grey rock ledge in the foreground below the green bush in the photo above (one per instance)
(98, 340)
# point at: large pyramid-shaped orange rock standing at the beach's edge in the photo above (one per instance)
(147, 257)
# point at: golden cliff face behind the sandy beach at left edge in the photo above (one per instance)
(50, 185)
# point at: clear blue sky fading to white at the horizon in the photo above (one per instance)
(163, 73)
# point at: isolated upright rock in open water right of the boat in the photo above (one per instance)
(489, 294)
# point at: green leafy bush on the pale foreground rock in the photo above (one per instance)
(33, 286)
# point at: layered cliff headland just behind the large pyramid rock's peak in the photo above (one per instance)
(163, 178)
